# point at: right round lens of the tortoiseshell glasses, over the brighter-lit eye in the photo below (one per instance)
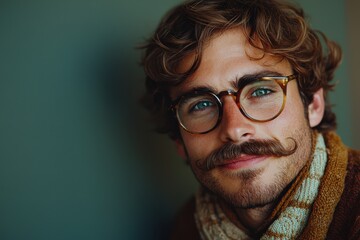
(262, 100)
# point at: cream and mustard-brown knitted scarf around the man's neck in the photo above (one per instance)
(305, 210)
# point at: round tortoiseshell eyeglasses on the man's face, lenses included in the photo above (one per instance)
(259, 99)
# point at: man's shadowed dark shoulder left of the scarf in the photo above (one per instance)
(185, 226)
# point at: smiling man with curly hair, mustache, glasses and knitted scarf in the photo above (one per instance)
(241, 87)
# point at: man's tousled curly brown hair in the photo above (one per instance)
(279, 27)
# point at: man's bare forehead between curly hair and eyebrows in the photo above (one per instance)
(227, 57)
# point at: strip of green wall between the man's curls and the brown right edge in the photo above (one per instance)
(329, 17)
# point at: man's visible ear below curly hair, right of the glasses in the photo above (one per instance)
(316, 108)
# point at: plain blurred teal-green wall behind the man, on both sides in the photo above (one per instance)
(78, 159)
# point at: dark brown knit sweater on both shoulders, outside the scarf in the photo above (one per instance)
(345, 222)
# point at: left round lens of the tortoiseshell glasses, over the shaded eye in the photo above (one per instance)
(198, 113)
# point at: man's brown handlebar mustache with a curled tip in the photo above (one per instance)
(228, 151)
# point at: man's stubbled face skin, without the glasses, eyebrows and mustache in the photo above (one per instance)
(246, 180)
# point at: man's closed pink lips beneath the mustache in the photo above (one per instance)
(244, 161)
